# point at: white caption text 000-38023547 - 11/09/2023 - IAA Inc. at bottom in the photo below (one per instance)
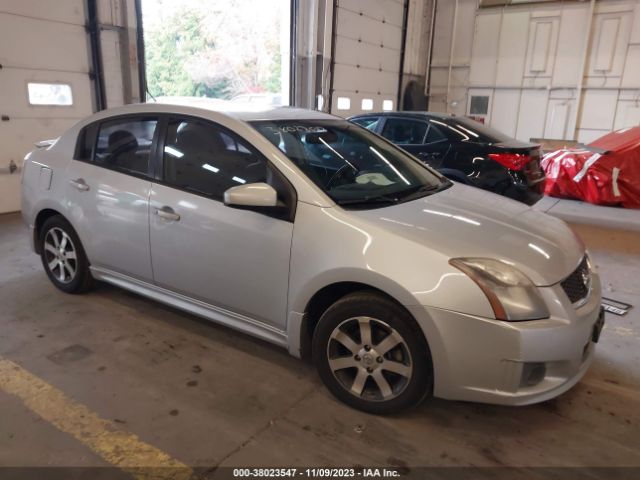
(316, 473)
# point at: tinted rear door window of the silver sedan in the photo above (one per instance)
(126, 144)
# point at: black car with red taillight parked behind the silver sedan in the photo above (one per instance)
(465, 151)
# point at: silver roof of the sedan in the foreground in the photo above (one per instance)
(246, 112)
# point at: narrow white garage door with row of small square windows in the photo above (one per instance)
(367, 51)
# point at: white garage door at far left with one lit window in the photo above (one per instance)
(44, 80)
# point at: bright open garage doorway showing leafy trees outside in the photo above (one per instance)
(213, 48)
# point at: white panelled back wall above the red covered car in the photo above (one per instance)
(562, 70)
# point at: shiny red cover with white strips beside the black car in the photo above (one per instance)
(605, 172)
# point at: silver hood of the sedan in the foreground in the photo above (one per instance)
(464, 221)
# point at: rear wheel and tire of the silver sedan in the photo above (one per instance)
(63, 256)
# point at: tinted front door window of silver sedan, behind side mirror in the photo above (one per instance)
(209, 160)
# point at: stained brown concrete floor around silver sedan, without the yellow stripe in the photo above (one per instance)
(208, 396)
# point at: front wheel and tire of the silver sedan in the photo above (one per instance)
(355, 371)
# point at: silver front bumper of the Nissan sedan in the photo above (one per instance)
(512, 363)
